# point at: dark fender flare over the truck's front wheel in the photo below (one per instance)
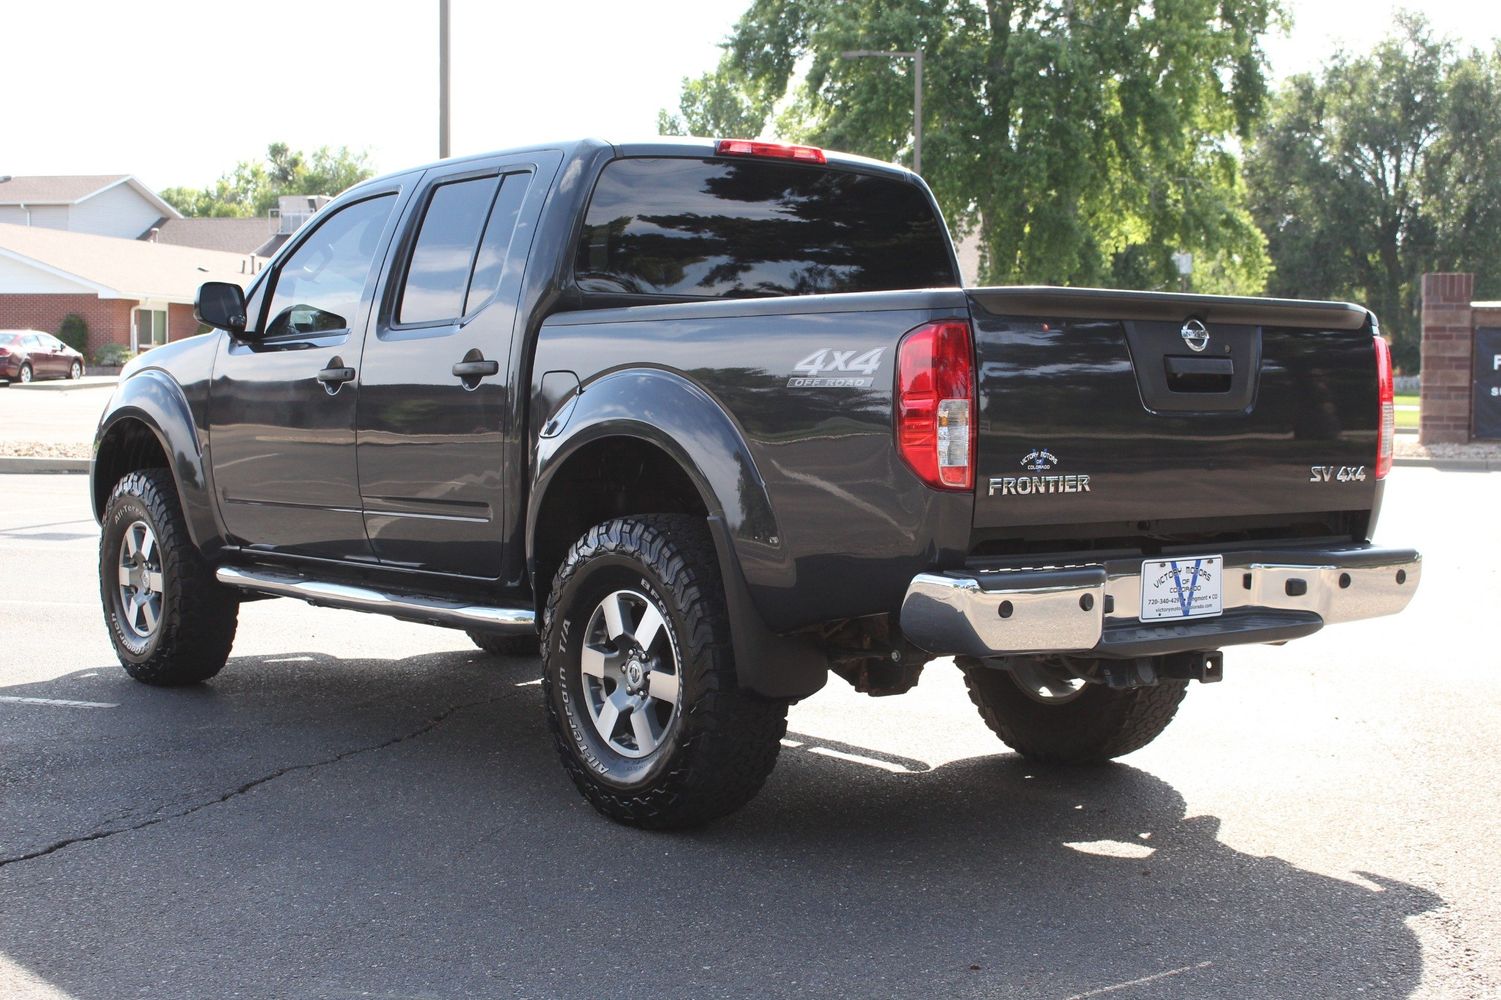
(155, 400)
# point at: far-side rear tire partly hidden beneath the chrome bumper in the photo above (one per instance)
(1096, 726)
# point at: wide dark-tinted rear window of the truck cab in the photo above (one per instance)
(709, 229)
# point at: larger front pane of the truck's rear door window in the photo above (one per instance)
(444, 258)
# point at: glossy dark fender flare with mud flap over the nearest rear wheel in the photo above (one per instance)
(688, 424)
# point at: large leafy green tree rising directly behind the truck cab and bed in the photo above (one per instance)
(1083, 140)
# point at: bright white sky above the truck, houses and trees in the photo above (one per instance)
(176, 92)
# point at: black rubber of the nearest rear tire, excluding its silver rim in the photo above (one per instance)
(723, 742)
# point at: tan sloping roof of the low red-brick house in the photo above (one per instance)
(124, 270)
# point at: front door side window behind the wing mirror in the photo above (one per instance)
(319, 289)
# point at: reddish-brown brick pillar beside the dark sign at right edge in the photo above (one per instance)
(1448, 340)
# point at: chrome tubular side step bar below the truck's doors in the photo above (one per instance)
(456, 615)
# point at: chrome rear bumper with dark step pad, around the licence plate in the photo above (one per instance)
(1092, 609)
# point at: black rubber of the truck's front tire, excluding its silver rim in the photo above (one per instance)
(196, 628)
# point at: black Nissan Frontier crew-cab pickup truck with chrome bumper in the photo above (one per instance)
(712, 420)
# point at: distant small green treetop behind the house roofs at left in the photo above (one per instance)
(253, 188)
